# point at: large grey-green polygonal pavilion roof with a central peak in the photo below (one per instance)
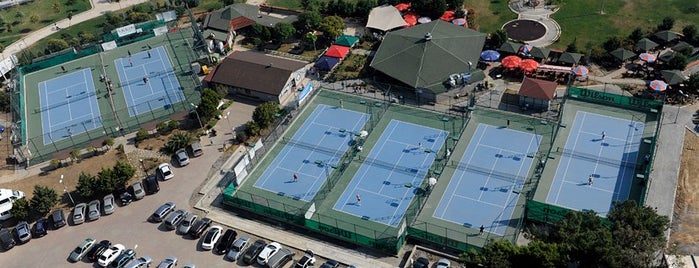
(407, 56)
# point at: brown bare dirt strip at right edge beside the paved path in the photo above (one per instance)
(685, 225)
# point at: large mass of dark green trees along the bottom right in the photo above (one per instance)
(630, 236)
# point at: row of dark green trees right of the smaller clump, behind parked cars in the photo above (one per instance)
(106, 181)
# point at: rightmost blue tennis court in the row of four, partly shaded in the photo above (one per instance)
(610, 161)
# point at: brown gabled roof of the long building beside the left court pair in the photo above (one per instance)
(255, 71)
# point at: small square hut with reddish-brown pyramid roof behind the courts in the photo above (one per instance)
(536, 94)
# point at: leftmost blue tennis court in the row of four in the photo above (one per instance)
(311, 153)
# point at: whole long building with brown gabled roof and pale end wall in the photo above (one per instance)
(260, 76)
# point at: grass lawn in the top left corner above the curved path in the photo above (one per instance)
(19, 18)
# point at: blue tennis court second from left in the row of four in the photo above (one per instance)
(384, 183)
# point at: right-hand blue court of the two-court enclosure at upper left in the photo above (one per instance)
(148, 80)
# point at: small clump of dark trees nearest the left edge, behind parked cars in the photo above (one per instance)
(42, 201)
